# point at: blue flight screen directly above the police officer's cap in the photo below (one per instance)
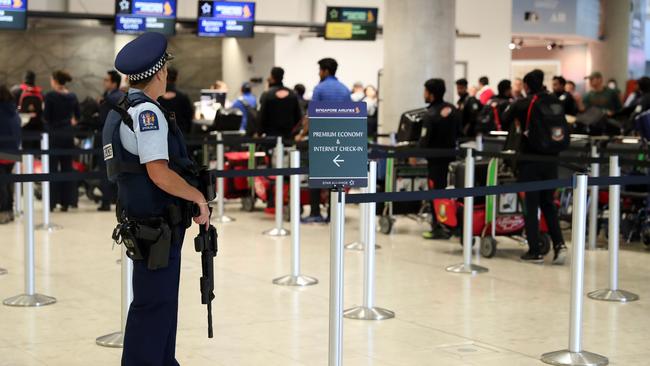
(139, 16)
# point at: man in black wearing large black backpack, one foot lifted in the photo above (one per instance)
(518, 116)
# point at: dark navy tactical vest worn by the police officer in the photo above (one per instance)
(138, 196)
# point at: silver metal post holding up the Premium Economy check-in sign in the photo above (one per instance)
(337, 202)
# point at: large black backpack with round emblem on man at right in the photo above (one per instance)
(546, 125)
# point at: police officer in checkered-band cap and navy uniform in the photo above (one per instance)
(146, 155)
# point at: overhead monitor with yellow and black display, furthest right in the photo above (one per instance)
(352, 24)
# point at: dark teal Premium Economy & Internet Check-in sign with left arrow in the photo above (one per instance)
(338, 145)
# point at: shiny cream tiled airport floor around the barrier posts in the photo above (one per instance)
(508, 316)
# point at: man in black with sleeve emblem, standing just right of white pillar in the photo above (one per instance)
(439, 131)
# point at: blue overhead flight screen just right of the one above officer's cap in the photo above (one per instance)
(226, 19)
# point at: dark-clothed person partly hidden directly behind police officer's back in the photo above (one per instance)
(112, 95)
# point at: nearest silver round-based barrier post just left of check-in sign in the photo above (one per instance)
(295, 278)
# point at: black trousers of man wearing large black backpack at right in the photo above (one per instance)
(532, 171)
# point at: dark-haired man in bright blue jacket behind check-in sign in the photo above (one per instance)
(330, 89)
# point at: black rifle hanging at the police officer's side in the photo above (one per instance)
(206, 244)
